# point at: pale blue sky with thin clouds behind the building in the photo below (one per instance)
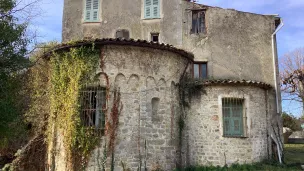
(49, 23)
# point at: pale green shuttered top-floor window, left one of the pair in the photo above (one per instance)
(91, 10)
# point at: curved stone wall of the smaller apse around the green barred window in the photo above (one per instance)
(204, 142)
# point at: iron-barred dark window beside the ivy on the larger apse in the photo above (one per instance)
(93, 103)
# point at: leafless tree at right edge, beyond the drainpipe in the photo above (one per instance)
(292, 76)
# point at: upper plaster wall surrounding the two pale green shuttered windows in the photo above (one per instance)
(126, 14)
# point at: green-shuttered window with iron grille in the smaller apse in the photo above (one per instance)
(233, 115)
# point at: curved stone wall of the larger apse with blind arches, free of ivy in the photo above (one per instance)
(148, 130)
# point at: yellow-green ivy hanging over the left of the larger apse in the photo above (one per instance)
(69, 72)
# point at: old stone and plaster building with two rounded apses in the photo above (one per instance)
(230, 55)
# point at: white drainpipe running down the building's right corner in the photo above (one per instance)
(274, 64)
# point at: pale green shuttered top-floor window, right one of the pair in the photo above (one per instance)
(152, 9)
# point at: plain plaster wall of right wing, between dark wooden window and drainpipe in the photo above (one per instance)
(237, 45)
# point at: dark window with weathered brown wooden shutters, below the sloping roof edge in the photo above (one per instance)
(198, 22)
